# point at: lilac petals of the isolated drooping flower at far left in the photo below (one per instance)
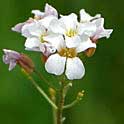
(10, 57)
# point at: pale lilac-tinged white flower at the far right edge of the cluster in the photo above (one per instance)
(100, 31)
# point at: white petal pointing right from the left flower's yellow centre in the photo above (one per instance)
(55, 40)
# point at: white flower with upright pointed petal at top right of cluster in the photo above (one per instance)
(85, 17)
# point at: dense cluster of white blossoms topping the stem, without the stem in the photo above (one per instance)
(61, 38)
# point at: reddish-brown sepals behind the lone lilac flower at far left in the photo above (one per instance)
(26, 63)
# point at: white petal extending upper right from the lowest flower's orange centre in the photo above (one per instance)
(84, 45)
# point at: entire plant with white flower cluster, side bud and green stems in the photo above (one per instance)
(61, 39)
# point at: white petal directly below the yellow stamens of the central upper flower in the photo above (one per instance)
(72, 41)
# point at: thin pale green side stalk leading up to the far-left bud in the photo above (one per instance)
(42, 92)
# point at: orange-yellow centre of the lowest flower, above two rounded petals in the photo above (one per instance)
(68, 52)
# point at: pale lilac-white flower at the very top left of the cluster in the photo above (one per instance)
(49, 10)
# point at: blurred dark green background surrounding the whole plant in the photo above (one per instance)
(103, 83)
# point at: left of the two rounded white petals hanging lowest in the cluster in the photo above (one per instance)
(55, 64)
